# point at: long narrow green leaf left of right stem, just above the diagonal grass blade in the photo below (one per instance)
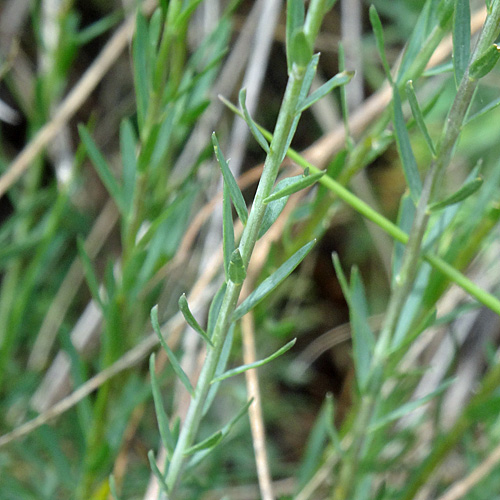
(408, 161)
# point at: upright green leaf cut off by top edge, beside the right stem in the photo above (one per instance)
(461, 38)
